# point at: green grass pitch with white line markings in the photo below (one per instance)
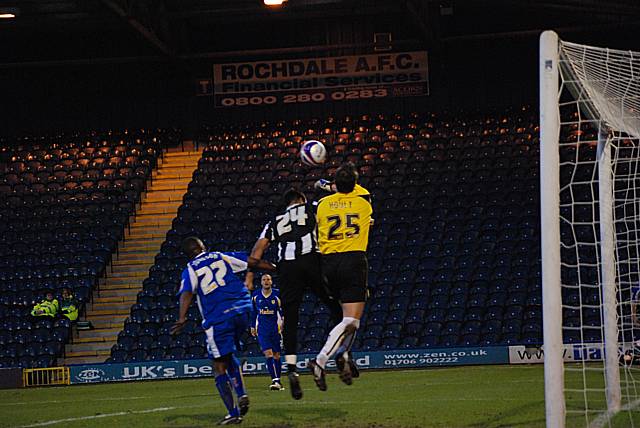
(478, 396)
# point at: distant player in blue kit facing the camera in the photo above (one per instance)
(267, 325)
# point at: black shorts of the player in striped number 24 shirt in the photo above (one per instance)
(295, 276)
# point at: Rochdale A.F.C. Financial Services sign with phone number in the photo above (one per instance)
(313, 80)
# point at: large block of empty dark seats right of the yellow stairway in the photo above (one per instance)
(453, 252)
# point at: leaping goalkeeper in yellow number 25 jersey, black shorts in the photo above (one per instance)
(344, 220)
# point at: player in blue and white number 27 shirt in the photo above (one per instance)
(225, 305)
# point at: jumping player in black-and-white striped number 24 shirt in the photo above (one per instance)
(294, 231)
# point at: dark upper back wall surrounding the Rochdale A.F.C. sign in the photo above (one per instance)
(465, 76)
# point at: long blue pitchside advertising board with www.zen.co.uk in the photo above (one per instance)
(419, 358)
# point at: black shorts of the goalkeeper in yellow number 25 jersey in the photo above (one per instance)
(346, 275)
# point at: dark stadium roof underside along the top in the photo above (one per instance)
(50, 32)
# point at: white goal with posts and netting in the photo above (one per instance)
(590, 209)
